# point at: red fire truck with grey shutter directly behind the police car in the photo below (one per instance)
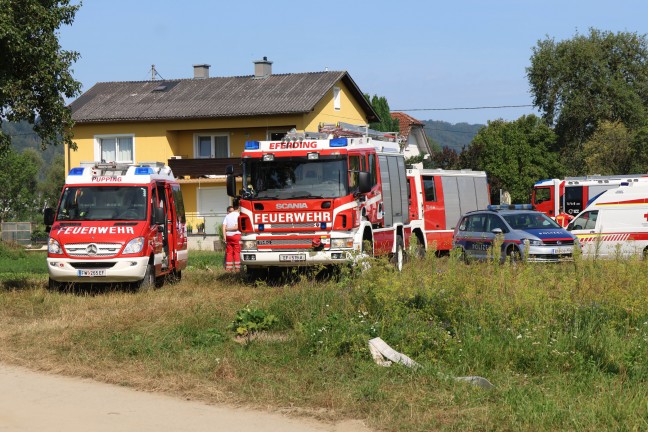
(438, 199)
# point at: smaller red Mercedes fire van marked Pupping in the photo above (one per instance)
(117, 223)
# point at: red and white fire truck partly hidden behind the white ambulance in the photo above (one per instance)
(574, 193)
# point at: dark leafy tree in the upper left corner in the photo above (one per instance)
(34, 70)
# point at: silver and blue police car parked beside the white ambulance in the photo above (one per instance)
(525, 234)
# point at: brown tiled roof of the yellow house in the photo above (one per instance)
(210, 97)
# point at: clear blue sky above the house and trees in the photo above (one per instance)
(433, 60)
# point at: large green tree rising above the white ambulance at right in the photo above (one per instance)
(580, 82)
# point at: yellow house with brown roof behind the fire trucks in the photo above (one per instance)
(199, 126)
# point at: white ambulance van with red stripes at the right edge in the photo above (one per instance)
(615, 223)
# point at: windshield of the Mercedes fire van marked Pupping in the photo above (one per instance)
(103, 203)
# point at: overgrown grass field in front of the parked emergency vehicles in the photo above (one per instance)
(565, 346)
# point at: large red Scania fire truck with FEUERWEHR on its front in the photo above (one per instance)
(322, 198)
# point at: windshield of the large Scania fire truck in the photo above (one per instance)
(295, 177)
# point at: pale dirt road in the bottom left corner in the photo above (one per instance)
(31, 401)
